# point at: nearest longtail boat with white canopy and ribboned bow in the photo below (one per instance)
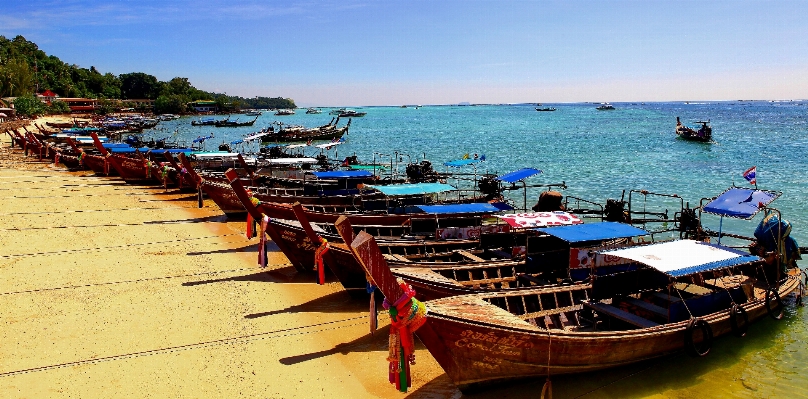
(657, 304)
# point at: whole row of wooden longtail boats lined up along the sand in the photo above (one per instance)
(494, 295)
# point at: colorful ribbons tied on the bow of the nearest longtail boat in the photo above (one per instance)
(407, 314)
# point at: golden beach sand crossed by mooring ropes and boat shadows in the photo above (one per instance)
(114, 290)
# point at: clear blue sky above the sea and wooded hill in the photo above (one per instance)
(377, 52)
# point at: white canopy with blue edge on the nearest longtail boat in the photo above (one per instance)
(683, 257)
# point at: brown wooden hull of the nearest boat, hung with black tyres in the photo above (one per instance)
(483, 352)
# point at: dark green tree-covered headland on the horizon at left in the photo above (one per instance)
(26, 72)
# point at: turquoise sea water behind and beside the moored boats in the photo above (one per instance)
(599, 154)
